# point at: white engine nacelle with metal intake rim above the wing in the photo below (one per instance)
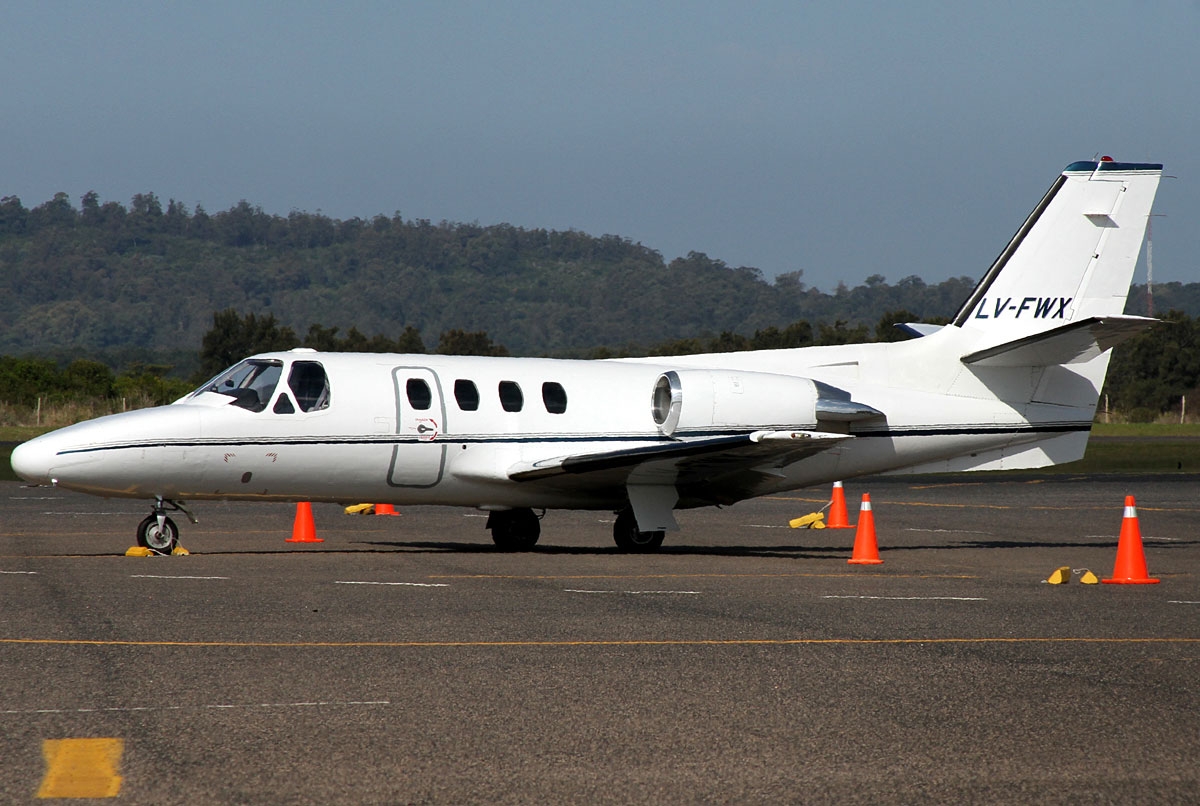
(689, 400)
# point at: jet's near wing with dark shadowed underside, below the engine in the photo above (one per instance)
(721, 470)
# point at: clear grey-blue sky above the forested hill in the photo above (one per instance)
(842, 140)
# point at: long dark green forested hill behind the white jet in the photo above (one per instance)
(109, 280)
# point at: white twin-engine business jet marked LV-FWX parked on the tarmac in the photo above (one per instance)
(1012, 382)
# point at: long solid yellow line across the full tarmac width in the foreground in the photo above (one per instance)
(615, 642)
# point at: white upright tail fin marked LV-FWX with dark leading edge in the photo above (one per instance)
(1072, 260)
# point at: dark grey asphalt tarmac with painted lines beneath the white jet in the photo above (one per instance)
(406, 660)
